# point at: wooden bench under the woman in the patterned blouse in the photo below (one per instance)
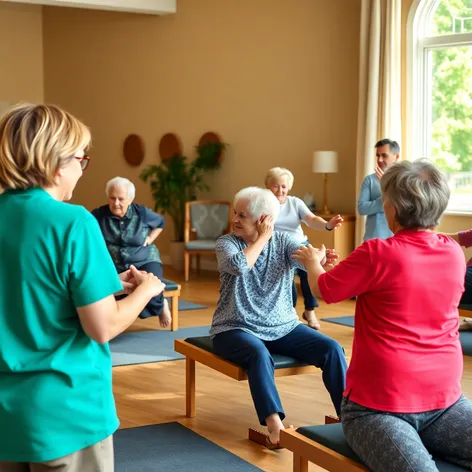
(201, 350)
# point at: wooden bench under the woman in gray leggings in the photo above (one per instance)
(326, 446)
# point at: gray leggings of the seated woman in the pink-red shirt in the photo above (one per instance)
(404, 442)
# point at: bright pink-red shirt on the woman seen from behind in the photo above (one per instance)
(406, 355)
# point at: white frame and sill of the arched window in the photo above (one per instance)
(418, 77)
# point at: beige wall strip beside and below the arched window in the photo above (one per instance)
(449, 223)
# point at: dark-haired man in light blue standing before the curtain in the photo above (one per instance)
(370, 200)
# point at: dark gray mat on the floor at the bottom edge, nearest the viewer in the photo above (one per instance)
(172, 447)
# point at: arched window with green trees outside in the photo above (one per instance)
(441, 93)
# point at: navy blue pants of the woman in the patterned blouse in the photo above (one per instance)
(303, 343)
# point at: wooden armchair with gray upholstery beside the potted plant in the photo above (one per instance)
(205, 222)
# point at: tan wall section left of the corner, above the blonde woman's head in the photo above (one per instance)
(21, 53)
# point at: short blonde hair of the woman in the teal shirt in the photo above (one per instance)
(35, 142)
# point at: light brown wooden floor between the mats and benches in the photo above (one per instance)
(155, 393)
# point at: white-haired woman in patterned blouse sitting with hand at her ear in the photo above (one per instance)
(255, 317)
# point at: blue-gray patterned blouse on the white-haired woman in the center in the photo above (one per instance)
(257, 300)
